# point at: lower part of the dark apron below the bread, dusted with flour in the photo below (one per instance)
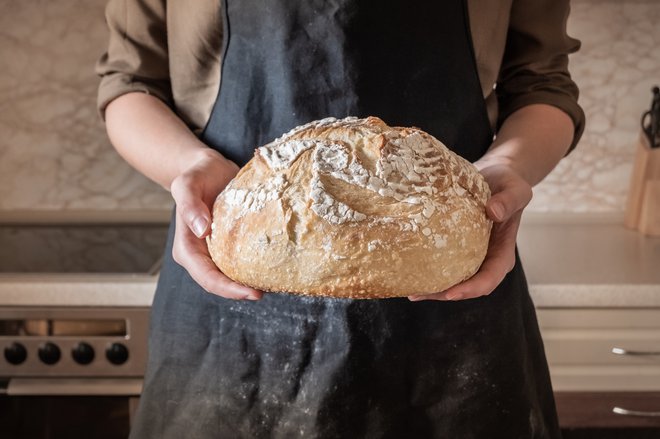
(301, 367)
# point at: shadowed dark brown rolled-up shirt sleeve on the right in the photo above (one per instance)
(535, 63)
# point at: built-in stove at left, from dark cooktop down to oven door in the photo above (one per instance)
(74, 317)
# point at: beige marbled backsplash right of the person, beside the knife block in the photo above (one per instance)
(616, 68)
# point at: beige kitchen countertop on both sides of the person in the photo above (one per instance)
(570, 262)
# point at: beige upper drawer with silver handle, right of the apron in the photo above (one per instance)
(618, 347)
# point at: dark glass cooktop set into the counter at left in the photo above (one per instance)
(81, 248)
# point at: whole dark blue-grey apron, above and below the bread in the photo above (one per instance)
(298, 367)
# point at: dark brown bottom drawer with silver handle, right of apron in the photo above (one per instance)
(595, 409)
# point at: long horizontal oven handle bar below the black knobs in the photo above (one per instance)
(71, 386)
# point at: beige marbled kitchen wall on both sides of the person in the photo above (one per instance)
(54, 155)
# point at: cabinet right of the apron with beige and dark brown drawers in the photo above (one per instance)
(604, 364)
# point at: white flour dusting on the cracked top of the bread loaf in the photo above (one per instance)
(409, 164)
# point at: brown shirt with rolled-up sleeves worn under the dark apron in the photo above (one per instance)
(171, 49)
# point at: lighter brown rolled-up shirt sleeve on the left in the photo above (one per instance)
(137, 56)
